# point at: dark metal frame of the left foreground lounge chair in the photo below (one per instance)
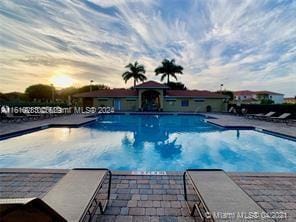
(94, 203)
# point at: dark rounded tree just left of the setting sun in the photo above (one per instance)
(40, 92)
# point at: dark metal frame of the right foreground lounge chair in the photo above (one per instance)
(201, 205)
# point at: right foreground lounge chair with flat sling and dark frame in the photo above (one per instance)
(218, 195)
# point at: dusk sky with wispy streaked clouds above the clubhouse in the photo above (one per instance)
(242, 44)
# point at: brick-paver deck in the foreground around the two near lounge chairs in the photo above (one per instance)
(155, 197)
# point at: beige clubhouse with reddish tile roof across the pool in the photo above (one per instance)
(154, 96)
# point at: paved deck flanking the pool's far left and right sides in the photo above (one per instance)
(223, 120)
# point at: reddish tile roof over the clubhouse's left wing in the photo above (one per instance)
(108, 93)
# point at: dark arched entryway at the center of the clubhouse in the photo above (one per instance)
(150, 100)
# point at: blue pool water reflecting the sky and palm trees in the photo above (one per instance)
(150, 142)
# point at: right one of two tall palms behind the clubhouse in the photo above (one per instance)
(167, 69)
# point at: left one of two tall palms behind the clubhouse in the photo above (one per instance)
(136, 71)
